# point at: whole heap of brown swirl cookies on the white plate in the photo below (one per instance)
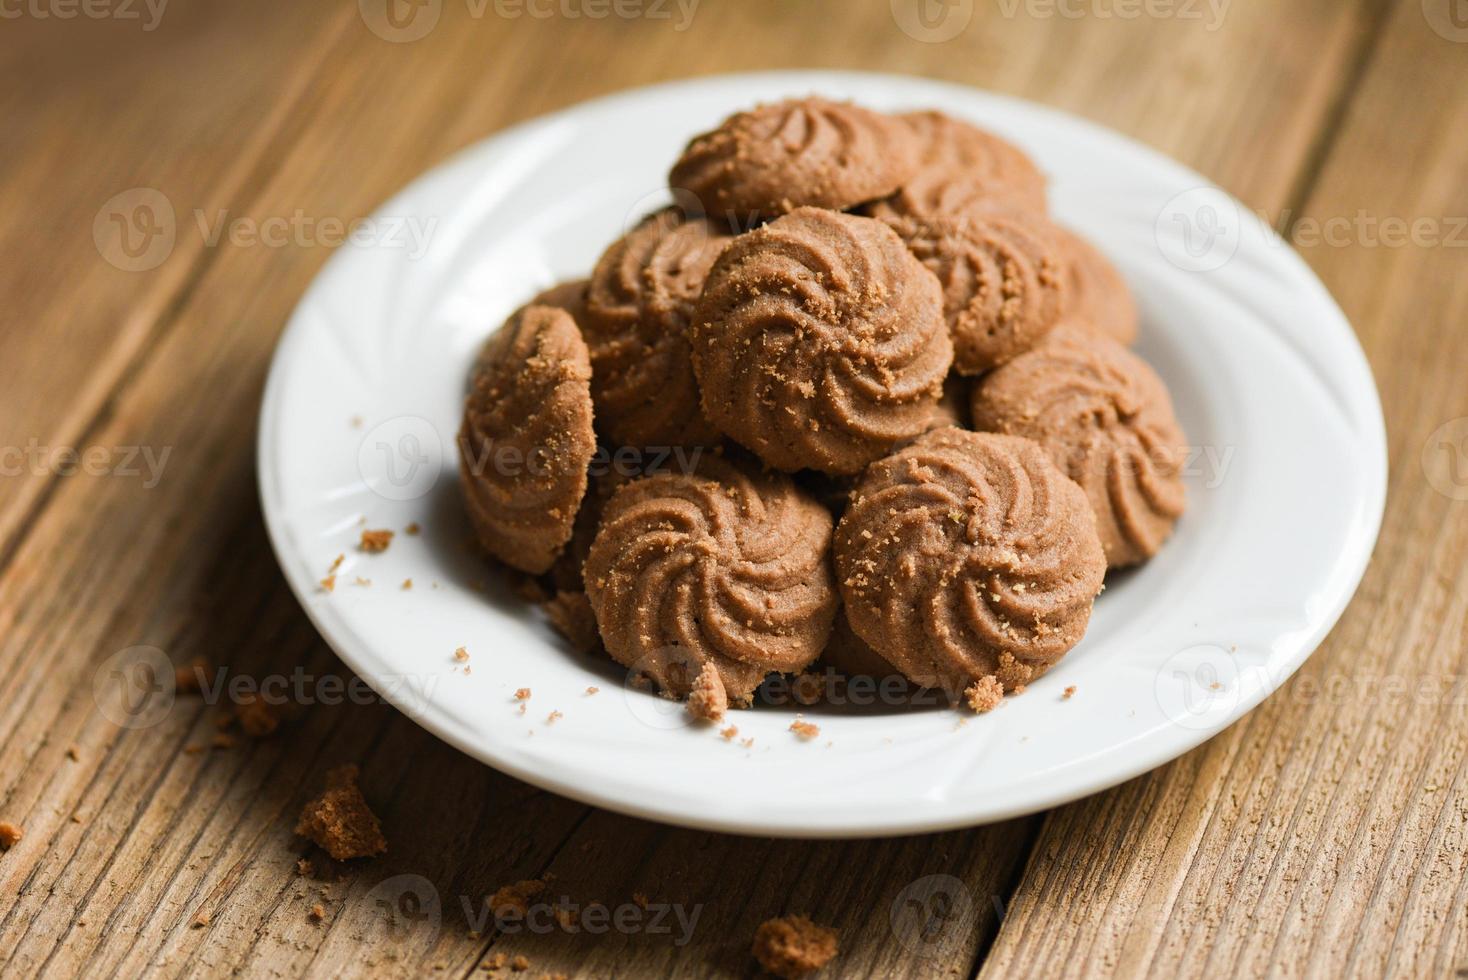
(893, 414)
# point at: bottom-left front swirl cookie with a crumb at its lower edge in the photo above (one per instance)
(726, 566)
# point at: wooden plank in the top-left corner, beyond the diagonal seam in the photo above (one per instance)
(103, 115)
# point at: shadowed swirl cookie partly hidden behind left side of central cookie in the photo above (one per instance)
(638, 310)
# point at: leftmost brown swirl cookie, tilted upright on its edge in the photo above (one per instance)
(526, 439)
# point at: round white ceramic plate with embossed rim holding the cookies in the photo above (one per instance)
(1285, 491)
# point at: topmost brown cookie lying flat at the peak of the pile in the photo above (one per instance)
(802, 152)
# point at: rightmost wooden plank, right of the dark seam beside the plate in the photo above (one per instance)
(1328, 833)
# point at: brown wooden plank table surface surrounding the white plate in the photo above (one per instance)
(1325, 834)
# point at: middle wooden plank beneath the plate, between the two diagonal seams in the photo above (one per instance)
(165, 835)
